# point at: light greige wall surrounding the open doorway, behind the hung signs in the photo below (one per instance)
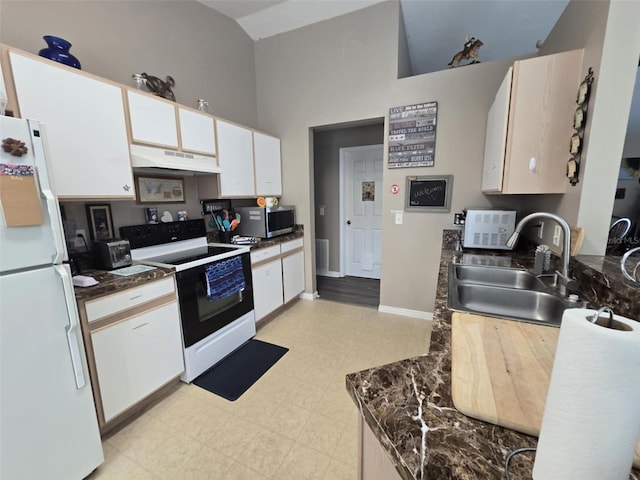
(345, 69)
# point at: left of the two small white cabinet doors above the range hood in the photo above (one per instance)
(152, 120)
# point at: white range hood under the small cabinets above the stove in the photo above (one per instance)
(156, 160)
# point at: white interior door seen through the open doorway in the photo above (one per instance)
(362, 210)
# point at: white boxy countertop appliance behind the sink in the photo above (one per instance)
(488, 229)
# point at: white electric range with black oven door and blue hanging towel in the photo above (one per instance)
(217, 315)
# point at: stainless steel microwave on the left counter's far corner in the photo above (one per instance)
(266, 222)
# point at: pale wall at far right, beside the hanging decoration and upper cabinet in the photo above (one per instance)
(609, 34)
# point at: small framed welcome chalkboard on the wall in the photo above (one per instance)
(429, 193)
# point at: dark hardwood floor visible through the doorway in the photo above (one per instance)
(354, 290)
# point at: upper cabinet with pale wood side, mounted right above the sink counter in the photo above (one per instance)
(529, 126)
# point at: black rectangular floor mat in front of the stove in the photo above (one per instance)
(234, 374)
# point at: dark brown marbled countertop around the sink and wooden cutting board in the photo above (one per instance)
(408, 405)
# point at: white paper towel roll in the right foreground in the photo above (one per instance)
(591, 420)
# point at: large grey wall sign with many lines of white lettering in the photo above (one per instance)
(412, 135)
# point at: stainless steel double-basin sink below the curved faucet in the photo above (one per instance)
(511, 293)
